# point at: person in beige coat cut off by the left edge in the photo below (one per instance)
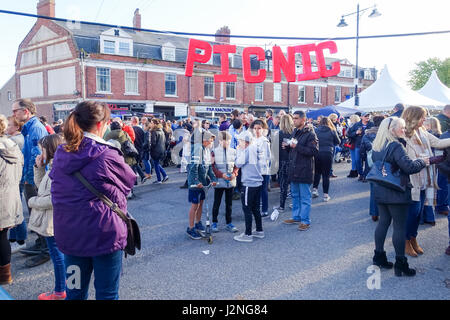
(11, 214)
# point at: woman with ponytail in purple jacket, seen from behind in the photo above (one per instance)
(89, 233)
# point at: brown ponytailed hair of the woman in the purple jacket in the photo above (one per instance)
(84, 117)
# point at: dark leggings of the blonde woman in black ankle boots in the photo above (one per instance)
(392, 212)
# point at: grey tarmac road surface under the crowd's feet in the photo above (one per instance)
(329, 261)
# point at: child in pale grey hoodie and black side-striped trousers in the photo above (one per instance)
(247, 158)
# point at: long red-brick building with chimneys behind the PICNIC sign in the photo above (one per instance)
(59, 64)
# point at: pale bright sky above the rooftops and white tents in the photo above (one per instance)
(294, 18)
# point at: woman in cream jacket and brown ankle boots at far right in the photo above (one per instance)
(418, 146)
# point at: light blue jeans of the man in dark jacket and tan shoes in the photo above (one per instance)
(301, 202)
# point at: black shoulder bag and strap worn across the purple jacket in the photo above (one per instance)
(134, 234)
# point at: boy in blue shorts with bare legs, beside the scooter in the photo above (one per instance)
(200, 174)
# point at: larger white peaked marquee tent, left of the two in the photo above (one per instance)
(385, 93)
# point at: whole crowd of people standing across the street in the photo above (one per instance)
(241, 157)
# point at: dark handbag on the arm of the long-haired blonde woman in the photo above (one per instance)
(382, 174)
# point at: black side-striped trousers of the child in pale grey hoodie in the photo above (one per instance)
(251, 197)
